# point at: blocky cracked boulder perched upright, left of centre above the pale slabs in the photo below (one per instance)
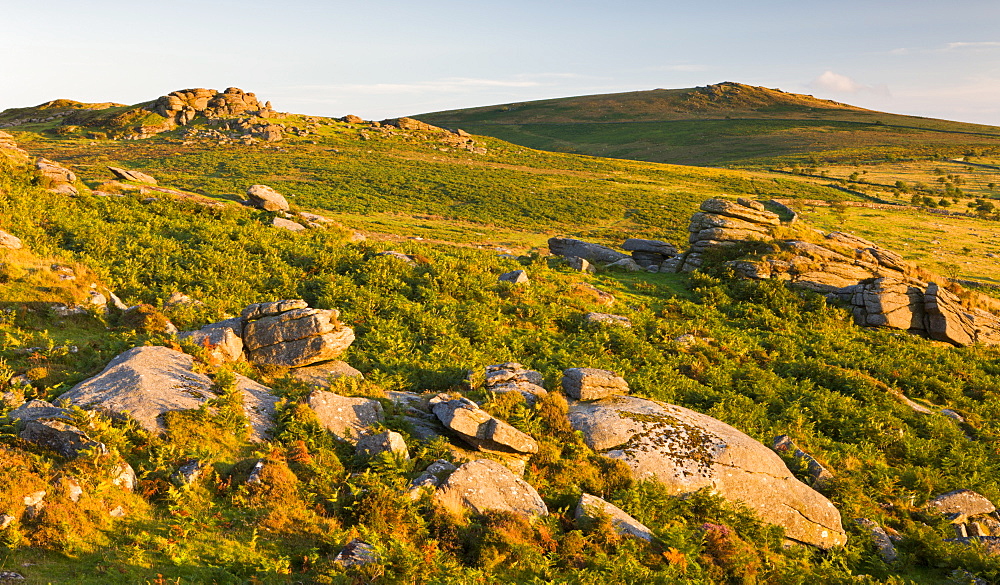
(296, 337)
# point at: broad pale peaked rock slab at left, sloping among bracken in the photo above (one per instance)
(144, 383)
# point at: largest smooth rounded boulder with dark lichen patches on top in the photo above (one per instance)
(687, 451)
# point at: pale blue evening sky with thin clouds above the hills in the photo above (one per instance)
(380, 58)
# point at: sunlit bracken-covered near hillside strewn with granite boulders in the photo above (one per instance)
(391, 369)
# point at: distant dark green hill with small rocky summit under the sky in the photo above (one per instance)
(727, 124)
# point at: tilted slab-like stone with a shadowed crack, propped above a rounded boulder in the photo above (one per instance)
(478, 428)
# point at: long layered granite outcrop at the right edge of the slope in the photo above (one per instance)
(882, 288)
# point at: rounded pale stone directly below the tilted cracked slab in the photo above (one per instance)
(484, 485)
